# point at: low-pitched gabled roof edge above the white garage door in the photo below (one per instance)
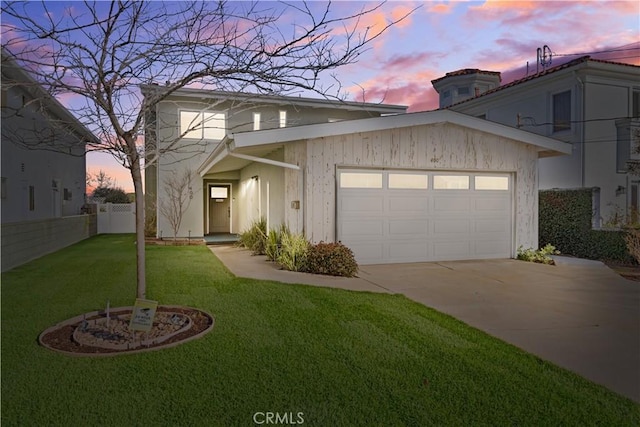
(259, 143)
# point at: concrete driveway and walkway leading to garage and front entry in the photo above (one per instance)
(579, 315)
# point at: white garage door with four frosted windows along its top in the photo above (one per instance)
(396, 216)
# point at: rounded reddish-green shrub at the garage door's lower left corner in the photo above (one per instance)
(334, 259)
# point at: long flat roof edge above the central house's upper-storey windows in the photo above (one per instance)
(281, 100)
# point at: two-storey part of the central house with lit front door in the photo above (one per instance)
(189, 125)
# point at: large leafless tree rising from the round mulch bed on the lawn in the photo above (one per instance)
(100, 53)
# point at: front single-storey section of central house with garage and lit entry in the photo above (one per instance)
(398, 188)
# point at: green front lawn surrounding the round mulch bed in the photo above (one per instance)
(339, 358)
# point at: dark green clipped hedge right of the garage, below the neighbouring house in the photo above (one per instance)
(565, 222)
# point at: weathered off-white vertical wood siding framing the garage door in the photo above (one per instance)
(429, 147)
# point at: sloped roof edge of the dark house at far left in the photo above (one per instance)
(22, 77)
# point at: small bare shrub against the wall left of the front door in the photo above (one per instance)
(179, 196)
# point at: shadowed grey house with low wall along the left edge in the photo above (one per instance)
(43, 169)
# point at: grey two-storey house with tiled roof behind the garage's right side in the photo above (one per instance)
(592, 104)
